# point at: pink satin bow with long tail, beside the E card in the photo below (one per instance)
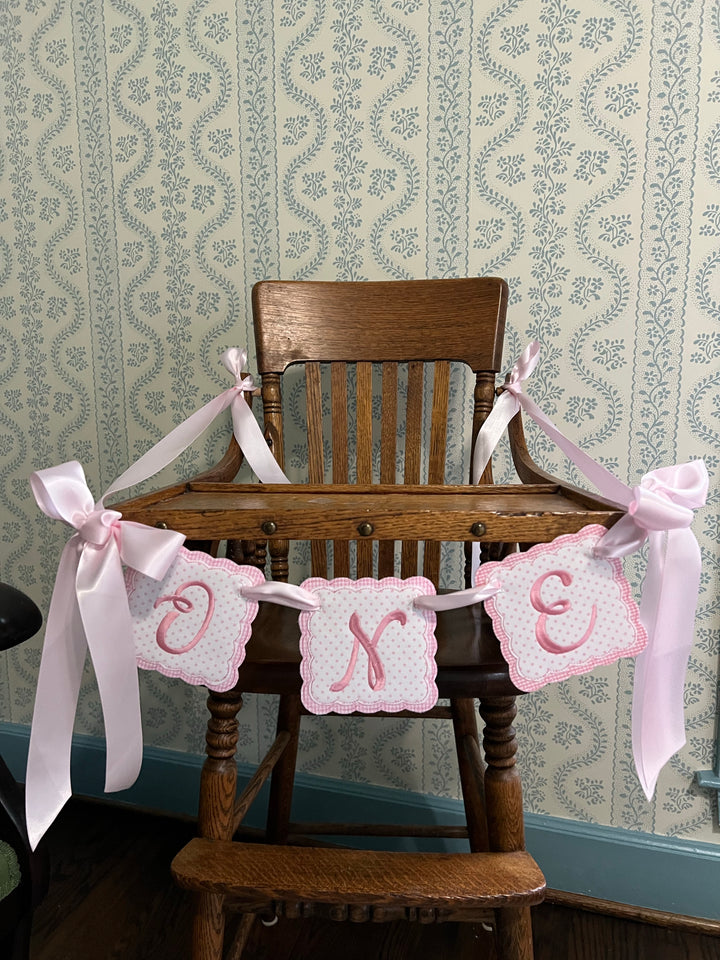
(661, 511)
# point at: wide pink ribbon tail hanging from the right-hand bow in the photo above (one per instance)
(658, 715)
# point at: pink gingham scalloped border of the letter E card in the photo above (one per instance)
(485, 572)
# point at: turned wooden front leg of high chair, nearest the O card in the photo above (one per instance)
(218, 787)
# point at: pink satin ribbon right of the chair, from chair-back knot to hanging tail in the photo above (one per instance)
(659, 510)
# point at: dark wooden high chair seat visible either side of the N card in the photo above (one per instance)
(469, 660)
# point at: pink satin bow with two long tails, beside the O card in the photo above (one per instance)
(88, 611)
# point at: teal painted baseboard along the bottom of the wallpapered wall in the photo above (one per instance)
(661, 873)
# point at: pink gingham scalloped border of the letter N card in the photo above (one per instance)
(424, 587)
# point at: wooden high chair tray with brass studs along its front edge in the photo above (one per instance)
(235, 511)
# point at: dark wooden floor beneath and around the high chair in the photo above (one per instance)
(112, 898)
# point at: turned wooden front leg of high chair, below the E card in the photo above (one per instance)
(503, 804)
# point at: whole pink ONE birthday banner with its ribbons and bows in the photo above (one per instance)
(133, 596)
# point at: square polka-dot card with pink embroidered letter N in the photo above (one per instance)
(367, 648)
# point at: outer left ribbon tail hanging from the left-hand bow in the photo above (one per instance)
(47, 782)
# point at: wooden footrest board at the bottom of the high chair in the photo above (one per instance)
(255, 873)
